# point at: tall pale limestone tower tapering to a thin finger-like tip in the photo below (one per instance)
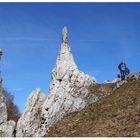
(67, 88)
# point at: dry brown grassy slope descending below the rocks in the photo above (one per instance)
(116, 115)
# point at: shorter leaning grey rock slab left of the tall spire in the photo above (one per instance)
(30, 120)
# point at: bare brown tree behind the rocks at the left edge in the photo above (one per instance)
(12, 109)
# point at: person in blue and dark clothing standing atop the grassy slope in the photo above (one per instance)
(122, 67)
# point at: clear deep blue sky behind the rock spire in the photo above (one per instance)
(100, 36)
